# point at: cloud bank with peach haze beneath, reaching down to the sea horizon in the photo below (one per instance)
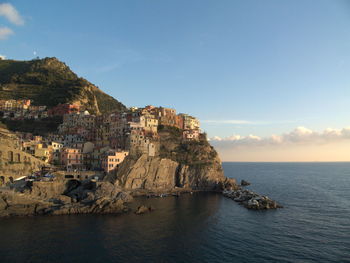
(301, 144)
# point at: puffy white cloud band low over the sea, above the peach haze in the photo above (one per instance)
(299, 135)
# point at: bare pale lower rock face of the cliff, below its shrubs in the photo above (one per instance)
(162, 174)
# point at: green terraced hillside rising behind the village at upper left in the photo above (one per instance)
(49, 82)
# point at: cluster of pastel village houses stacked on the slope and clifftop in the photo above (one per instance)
(89, 142)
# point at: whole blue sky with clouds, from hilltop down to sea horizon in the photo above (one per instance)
(254, 72)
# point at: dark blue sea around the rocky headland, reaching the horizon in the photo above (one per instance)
(313, 226)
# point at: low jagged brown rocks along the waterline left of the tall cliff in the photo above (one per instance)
(56, 198)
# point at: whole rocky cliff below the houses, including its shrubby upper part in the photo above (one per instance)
(191, 165)
